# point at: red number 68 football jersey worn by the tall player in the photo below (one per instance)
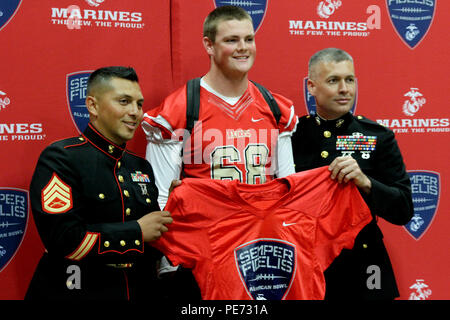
(229, 141)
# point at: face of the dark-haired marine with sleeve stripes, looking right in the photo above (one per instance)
(116, 109)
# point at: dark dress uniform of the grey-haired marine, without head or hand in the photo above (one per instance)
(317, 143)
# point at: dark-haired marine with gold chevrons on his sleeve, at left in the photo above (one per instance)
(87, 195)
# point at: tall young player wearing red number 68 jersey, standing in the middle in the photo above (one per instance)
(236, 135)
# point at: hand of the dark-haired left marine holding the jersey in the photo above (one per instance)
(153, 224)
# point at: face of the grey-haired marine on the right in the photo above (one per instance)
(333, 84)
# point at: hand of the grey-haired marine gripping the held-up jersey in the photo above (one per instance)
(345, 169)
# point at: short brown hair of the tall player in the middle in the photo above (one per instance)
(223, 13)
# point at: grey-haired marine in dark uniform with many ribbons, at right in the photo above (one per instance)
(361, 151)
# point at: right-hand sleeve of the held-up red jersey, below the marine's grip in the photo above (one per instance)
(343, 214)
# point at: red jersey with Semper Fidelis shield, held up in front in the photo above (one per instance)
(270, 241)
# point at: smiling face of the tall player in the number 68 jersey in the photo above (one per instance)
(233, 50)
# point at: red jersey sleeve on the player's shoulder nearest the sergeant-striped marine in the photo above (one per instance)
(170, 116)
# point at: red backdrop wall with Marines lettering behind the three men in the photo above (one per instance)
(400, 59)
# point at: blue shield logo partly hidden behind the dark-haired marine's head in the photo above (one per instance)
(76, 89)
